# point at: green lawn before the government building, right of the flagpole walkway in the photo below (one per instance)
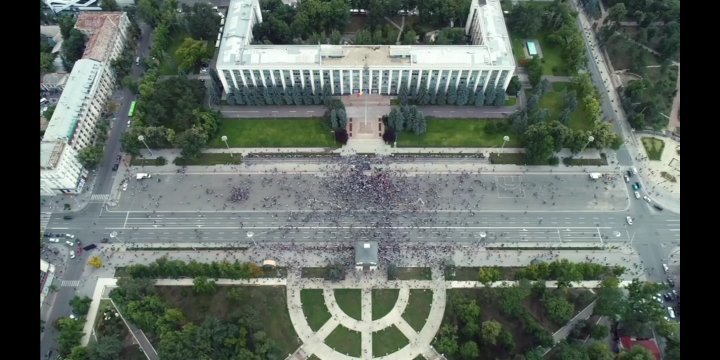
(455, 133)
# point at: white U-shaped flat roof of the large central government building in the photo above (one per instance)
(235, 48)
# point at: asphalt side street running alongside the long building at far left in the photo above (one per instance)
(103, 182)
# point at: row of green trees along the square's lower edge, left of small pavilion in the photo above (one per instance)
(165, 268)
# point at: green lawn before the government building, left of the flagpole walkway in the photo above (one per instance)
(275, 132)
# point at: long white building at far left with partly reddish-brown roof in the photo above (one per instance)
(89, 85)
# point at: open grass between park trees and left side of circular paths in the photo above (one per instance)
(266, 306)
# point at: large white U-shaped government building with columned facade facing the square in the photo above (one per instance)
(377, 69)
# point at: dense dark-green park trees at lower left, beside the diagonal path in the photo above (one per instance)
(177, 338)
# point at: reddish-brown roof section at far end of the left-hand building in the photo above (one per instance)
(104, 27)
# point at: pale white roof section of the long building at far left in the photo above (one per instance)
(81, 83)
